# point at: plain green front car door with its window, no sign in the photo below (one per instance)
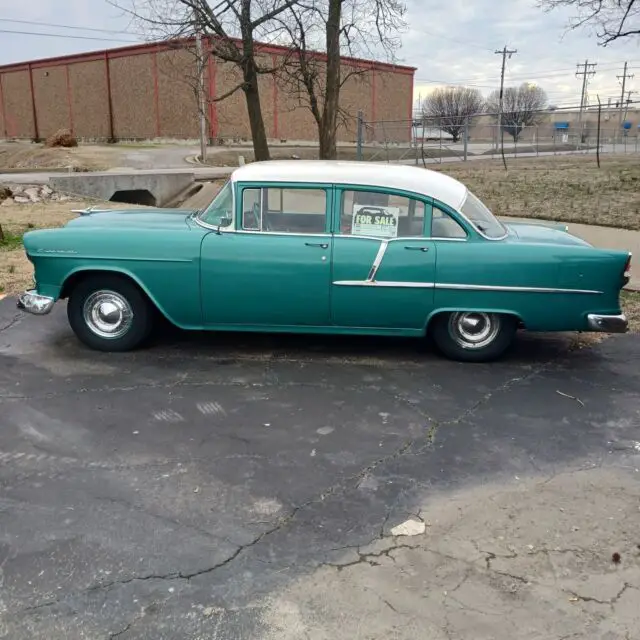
(273, 268)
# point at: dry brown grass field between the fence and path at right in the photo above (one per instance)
(562, 188)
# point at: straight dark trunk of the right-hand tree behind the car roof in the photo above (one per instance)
(329, 122)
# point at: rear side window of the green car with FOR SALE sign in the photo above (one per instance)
(384, 215)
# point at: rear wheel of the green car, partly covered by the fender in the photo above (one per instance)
(473, 336)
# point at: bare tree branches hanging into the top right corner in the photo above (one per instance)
(612, 19)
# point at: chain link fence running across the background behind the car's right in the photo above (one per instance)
(423, 140)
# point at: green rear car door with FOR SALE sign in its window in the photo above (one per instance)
(383, 265)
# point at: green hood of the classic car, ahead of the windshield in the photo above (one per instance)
(142, 219)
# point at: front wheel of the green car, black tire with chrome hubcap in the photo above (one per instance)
(109, 313)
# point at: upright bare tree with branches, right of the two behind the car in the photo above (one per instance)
(320, 33)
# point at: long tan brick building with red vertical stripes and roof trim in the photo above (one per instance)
(147, 91)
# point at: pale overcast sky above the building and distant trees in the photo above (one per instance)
(449, 41)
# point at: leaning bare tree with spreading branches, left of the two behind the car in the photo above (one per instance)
(231, 29)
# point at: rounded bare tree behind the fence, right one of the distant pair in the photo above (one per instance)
(521, 107)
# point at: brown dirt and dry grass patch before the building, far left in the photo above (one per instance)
(30, 156)
